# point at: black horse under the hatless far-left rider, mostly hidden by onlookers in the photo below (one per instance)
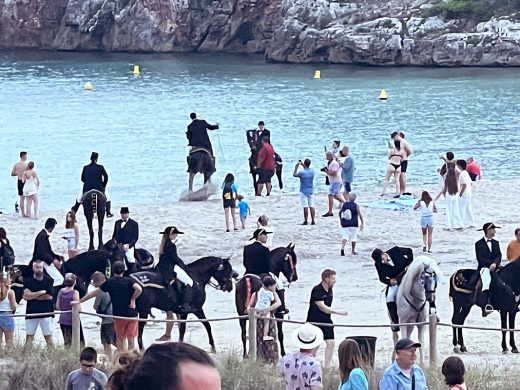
(82, 265)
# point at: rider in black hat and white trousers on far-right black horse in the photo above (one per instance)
(489, 256)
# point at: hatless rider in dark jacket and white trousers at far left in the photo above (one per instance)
(42, 251)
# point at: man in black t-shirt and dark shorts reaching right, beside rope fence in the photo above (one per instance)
(320, 310)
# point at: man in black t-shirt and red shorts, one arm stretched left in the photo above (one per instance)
(123, 291)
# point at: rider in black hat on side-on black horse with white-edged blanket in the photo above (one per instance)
(171, 267)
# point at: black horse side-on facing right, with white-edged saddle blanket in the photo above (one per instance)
(156, 295)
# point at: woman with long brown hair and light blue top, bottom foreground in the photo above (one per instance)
(351, 367)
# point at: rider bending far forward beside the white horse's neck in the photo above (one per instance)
(391, 267)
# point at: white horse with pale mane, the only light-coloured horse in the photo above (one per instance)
(417, 289)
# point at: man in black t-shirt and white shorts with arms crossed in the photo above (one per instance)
(38, 293)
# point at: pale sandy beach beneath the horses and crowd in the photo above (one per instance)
(358, 289)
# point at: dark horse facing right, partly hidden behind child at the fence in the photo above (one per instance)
(283, 261)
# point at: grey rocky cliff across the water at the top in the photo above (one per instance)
(376, 32)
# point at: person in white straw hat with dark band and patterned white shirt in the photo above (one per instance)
(301, 369)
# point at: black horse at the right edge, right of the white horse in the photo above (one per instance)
(505, 291)
